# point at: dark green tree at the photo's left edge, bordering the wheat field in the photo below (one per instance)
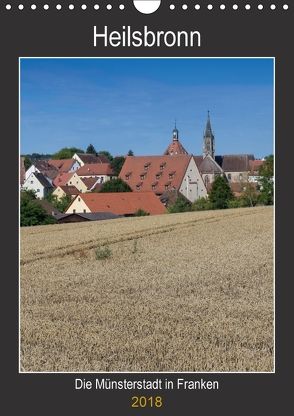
(31, 213)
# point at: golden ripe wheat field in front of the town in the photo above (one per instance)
(179, 292)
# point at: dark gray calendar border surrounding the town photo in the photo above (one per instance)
(65, 34)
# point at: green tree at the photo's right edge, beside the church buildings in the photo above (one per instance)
(266, 182)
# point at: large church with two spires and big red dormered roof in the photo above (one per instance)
(177, 171)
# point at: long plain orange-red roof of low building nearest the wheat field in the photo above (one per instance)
(123, 203)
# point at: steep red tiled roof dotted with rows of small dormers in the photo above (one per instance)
(164, 165)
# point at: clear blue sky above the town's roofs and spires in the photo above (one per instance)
(122, 104)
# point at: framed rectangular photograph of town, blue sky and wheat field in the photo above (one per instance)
(146, 215)
